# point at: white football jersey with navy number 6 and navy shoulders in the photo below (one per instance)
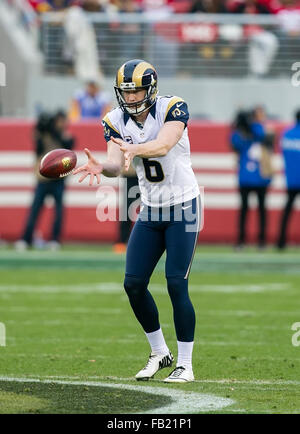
(163, 181)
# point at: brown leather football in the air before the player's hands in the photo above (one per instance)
(58, 163)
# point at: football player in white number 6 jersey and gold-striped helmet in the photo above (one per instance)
(151, 132)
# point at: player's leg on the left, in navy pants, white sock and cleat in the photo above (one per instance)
(145, 247)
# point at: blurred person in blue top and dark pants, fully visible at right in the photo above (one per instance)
(247, 139)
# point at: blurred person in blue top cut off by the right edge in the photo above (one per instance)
(290, 146)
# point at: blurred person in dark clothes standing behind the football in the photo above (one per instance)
(50, 133)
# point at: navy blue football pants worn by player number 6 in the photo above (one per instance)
(174, 230)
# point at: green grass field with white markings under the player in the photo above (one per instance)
(73, 344)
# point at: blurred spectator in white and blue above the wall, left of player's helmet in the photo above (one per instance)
(90, 102)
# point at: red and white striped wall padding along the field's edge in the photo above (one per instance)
(214, 163)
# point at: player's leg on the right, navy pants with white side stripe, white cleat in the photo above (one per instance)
(181, 239)
